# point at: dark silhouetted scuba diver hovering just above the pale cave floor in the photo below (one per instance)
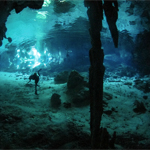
(35, 77)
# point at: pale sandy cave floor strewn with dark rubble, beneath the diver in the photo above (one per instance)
(28, 120)
